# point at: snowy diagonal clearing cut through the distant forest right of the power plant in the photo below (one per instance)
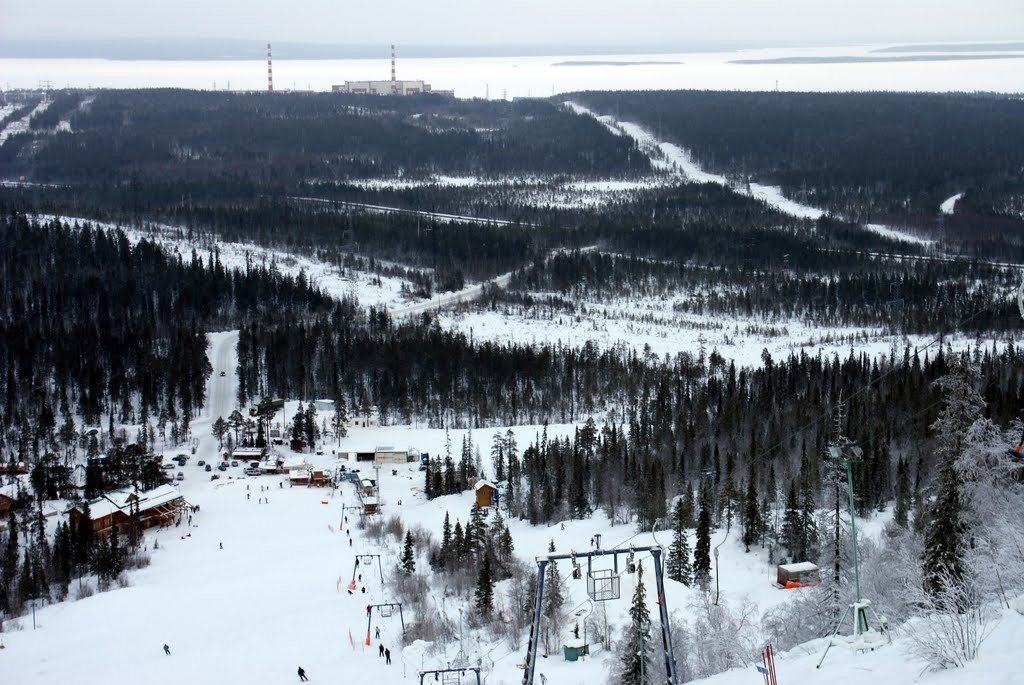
(676, 160)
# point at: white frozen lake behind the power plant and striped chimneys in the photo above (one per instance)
(801, 70)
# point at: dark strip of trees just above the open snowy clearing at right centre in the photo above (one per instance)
(908, 295)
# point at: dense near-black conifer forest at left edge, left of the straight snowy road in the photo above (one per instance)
(95, 326)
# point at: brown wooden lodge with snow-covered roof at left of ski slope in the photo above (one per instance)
(160, 506)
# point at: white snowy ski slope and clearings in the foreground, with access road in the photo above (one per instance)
(253, 587)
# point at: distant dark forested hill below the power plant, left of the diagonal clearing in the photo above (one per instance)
(281, 141)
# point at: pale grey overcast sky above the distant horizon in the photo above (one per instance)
(522, 22)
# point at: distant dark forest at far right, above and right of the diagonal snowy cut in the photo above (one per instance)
(867, 156)
